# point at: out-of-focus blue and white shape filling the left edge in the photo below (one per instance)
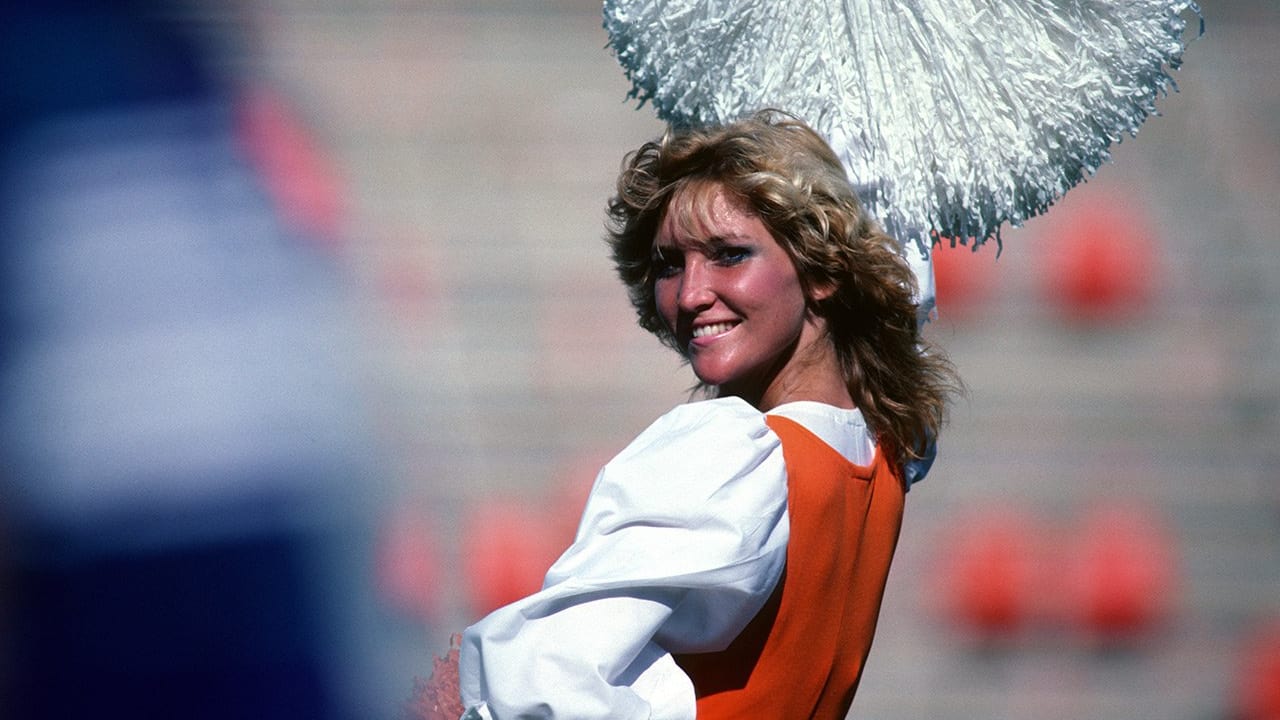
(180, 444)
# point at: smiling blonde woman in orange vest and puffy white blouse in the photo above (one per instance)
(733, 559)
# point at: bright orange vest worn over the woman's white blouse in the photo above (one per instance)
(802, 657)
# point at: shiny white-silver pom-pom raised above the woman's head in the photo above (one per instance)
(953, 117)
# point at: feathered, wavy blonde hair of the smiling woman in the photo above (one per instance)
(794, 183)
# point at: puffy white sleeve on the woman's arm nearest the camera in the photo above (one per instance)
(683, 540)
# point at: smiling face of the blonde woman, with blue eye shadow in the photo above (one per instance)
(732, 297)
